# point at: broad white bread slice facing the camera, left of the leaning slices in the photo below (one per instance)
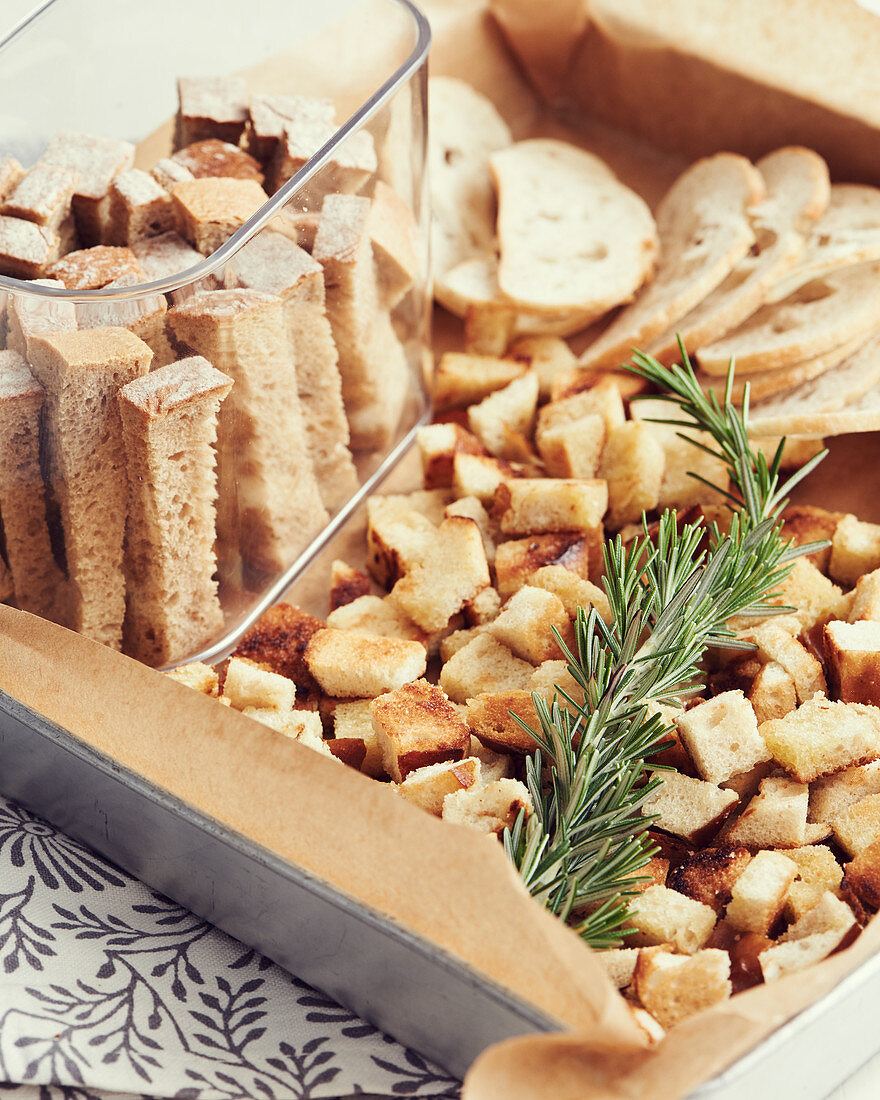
(573, 237)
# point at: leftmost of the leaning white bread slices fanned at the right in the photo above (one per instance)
(705, 229)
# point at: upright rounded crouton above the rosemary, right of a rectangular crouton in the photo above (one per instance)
(633, 464)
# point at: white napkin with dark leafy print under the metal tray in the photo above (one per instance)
(109, 988)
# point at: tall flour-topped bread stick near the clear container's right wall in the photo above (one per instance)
(372, 362)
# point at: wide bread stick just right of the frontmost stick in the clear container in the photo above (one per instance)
(270, 507)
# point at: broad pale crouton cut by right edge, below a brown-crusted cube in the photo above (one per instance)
(822, 738)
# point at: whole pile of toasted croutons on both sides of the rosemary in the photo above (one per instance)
(769, 826)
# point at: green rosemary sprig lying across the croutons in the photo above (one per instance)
(672, 598)
